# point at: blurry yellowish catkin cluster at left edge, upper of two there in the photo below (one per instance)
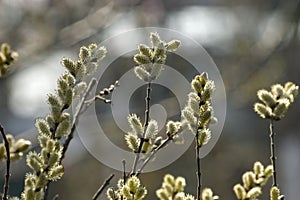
(7, 57)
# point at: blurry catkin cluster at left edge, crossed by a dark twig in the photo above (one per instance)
(16, 148)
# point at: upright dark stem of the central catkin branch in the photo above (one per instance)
(147, 113)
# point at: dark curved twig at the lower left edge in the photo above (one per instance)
(7, 175)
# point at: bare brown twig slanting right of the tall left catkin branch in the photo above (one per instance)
(76, 117)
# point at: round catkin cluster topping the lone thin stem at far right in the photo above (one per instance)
(275, 103)
